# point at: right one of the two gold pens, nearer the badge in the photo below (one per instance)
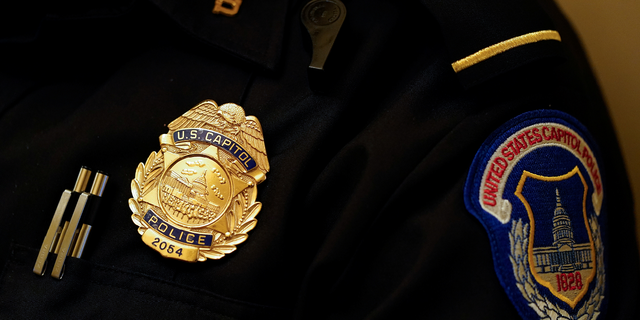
(77, 238)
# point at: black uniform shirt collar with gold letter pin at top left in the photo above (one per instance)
(255, 34)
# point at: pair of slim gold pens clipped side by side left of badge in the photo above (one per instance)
(63, 237)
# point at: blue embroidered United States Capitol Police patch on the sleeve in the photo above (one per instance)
(535, 185)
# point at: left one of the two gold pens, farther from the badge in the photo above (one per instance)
(55, 230)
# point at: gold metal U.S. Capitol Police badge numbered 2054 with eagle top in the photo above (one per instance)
(195, 199)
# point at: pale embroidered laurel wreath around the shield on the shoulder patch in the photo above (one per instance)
(519, 239)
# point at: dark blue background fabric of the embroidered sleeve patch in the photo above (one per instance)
(546, 161)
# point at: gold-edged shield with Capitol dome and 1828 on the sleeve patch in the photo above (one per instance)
(561, 250)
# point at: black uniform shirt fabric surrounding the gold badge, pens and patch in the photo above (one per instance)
(363, 212)
